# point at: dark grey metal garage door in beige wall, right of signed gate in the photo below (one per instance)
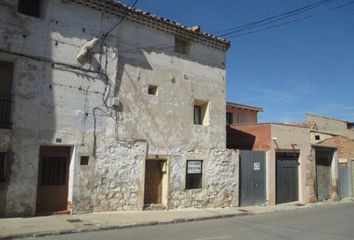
(287, 177)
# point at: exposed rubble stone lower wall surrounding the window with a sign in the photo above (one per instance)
(220, 180)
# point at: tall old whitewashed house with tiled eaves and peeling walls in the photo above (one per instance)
(100, 114)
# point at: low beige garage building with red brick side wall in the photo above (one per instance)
(296, 169)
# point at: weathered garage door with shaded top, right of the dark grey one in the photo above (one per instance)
(323, 173)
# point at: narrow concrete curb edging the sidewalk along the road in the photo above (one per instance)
(134, 225)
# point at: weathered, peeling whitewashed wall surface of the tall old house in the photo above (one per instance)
(55, 101)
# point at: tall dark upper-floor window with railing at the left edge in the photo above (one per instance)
(6, 70)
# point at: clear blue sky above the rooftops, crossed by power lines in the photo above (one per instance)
(307, 66)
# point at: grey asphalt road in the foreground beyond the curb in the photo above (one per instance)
(318, 223)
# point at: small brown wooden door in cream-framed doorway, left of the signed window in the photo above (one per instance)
(153, 182)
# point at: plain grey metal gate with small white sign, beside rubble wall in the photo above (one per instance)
(252, 178)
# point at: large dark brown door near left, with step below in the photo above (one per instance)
(52, 196)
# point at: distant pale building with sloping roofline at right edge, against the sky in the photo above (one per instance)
(331, 126)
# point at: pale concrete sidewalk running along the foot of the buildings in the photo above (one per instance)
(11, 228)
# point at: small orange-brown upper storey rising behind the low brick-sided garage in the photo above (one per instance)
(239, 113)
